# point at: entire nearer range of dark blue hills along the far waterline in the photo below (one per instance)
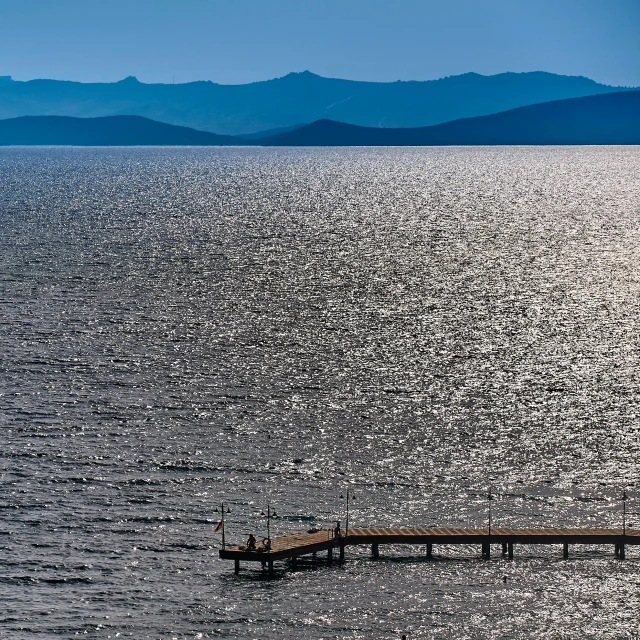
(602, 119)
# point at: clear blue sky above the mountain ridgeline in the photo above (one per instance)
(236, 41)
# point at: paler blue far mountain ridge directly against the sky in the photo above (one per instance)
(297, 97)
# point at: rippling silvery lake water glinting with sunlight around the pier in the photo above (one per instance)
(182, 326)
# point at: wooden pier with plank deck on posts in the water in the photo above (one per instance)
(300, 544)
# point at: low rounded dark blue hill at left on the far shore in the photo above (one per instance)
(109, 131)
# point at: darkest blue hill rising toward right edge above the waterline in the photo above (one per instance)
(604, 119)
